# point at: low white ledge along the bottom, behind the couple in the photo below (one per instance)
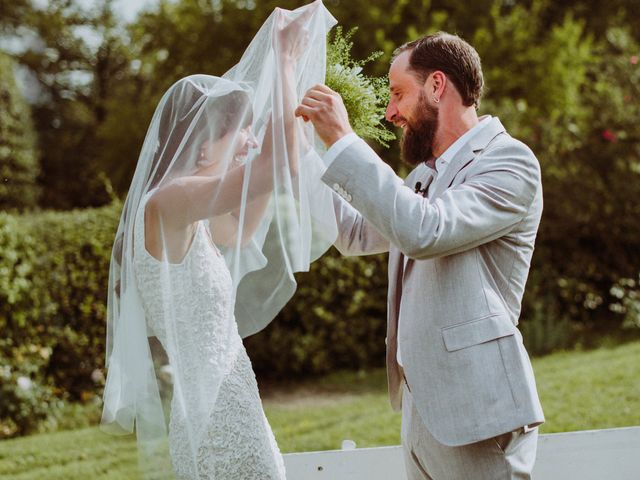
(612, 454)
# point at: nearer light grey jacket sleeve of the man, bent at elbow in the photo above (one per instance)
(495, 196)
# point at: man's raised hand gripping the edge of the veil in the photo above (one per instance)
(325, 109)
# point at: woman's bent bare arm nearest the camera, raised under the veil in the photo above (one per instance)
(188, 199)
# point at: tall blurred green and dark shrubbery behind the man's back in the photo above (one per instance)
(575, 107)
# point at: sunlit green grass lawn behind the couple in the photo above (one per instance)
(579, 390)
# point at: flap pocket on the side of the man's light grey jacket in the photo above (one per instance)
(474, 332)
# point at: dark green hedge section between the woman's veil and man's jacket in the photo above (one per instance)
(336, 320)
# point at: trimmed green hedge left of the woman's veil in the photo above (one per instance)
(53, 277)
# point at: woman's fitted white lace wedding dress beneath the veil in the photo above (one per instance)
(234, 439)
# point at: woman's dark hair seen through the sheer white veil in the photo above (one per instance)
(182, 112)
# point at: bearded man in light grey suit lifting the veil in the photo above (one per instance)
(460, 230)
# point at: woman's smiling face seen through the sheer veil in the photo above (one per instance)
(213, 154)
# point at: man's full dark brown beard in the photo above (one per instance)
(416, 145)
